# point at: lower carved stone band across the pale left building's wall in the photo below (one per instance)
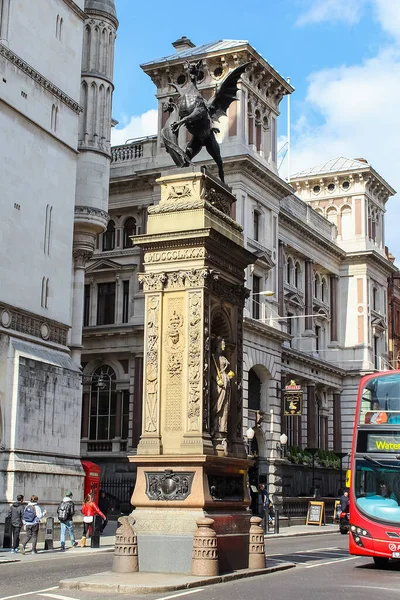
(18, 320)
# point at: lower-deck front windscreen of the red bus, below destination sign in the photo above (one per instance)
(377, 489)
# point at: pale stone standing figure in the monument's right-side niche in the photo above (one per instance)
(220, 392)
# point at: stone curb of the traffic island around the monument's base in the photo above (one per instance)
(124, 588)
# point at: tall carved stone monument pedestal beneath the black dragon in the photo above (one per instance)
(191, 460)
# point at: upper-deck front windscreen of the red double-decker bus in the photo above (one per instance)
(380, 401)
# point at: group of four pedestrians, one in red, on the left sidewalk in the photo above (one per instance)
(27, 517)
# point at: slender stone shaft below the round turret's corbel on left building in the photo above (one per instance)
(80, 259)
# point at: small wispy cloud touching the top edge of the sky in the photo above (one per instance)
(348, 11)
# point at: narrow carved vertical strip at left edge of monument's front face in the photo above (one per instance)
(152, 352)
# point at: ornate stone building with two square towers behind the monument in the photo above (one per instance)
(317, 274)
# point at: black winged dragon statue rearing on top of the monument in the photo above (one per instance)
(198, 116)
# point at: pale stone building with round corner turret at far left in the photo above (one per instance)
(41, 112)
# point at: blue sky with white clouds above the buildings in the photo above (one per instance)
(343, 58)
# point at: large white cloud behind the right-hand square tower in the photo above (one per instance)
(359, 107)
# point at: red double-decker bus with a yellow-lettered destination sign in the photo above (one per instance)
(375, 469)
